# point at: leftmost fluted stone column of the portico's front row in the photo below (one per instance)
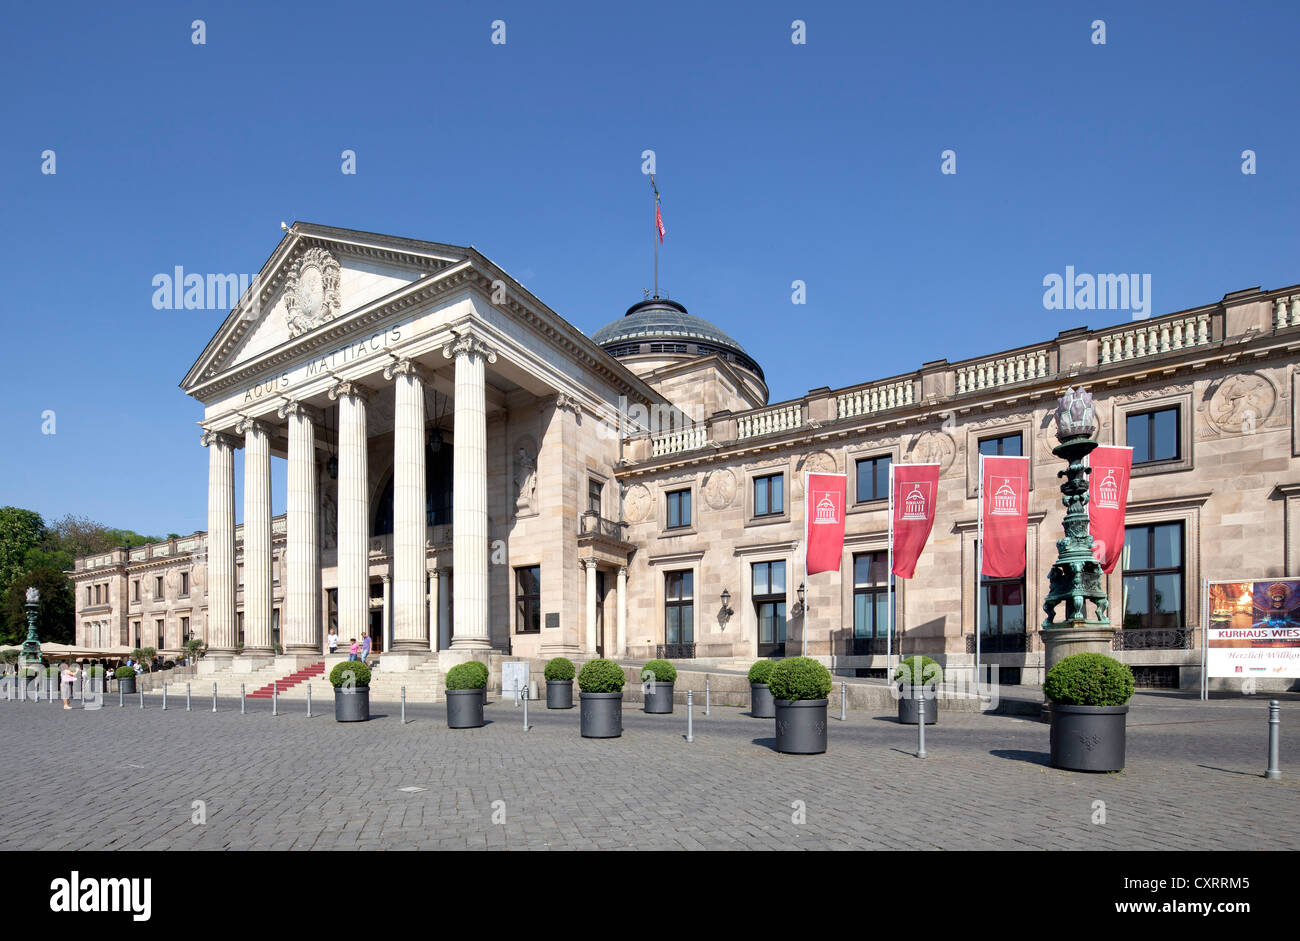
(222, 545)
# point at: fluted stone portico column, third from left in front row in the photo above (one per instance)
(304, 592)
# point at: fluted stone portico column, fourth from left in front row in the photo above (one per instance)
(354, 563)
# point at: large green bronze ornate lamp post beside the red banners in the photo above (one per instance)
(1076, 578)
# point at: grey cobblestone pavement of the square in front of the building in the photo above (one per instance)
(128, 779)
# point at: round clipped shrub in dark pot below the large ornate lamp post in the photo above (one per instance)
(1090, 695)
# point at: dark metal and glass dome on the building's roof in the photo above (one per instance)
(661, 327)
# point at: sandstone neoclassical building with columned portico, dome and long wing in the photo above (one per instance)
(469, 475)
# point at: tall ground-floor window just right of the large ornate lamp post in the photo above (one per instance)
(1154, 576)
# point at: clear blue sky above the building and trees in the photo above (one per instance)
(777, 163)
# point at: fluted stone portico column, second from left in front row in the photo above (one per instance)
(258, 576)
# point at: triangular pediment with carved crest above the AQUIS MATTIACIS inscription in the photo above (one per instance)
(318, 276)
